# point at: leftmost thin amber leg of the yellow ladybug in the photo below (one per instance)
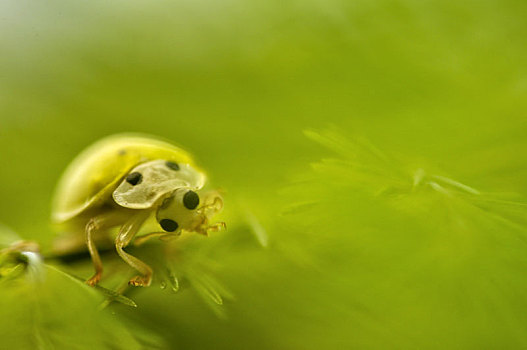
(98, 223)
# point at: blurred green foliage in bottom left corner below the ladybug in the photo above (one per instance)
(56, 312)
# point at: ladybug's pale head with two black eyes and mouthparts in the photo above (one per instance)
(189, 210)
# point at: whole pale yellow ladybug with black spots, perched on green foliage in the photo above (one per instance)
(121, 181)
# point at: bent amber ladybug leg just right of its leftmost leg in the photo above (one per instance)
(125, 236)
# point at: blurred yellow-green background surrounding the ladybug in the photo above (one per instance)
(433, 85)
